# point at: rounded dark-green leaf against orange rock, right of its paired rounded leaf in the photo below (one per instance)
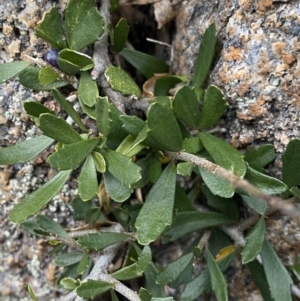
(214, 106)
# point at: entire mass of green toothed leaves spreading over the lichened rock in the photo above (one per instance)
(127, 153)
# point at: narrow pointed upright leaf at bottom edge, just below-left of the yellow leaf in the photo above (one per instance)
(218, 283)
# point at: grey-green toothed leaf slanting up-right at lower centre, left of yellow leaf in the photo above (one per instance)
(174, 269)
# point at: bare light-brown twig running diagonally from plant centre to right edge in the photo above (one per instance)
(237, 182)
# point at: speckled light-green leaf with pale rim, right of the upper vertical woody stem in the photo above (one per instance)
(120, 81)
